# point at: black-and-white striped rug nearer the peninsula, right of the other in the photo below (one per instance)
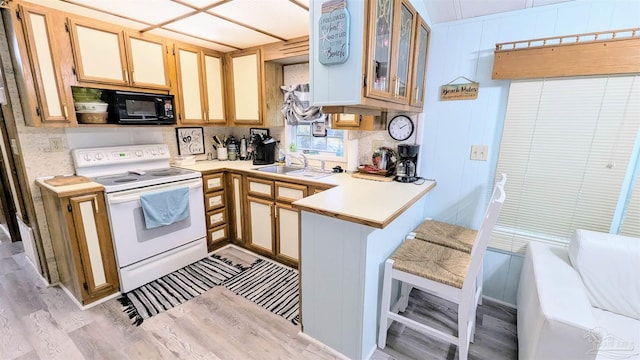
(271, 286)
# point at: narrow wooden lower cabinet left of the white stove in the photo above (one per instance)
(81, 238)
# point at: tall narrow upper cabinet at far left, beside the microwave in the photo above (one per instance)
(42, 68)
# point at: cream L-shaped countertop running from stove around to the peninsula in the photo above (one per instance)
(368, 202)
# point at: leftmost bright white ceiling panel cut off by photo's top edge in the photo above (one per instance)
(147, 11)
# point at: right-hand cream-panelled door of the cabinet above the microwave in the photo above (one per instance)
(147, 63)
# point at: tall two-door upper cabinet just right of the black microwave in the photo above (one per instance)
(200, 86)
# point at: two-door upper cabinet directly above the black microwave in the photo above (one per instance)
(108, 55)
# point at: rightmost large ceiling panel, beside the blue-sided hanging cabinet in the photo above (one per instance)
(277, 17)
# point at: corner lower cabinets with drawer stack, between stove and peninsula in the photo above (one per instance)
(255, 213)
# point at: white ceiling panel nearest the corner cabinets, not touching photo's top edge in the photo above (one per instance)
(209, 27)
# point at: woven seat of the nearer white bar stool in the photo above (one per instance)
(431, 261)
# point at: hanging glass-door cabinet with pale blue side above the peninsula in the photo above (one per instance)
(380, 71)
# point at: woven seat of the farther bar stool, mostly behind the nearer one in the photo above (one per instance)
(449, 235)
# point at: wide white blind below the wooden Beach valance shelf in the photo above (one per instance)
(565, 148)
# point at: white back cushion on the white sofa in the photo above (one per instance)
(609, 266)
